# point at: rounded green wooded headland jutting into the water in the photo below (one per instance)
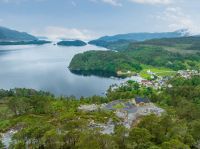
(105, 62)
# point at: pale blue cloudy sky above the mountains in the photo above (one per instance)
(86, 19)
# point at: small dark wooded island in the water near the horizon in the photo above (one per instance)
(77, 43)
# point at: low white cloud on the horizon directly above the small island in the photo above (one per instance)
(55, 33)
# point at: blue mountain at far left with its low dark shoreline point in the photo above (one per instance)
(13, 37)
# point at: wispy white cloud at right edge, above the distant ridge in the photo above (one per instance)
(177, 19)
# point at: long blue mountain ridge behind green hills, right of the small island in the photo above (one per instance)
(123, 40)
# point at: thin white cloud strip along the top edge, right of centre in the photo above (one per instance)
(164, 2)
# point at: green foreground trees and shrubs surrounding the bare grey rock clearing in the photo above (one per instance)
(44, 121)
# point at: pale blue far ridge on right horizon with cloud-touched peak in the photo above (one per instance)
(135, 37)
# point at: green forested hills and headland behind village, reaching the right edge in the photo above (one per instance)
(167, 54)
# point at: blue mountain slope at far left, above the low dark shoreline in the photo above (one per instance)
(7, 35)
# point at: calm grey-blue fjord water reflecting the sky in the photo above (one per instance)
(46, 68)
